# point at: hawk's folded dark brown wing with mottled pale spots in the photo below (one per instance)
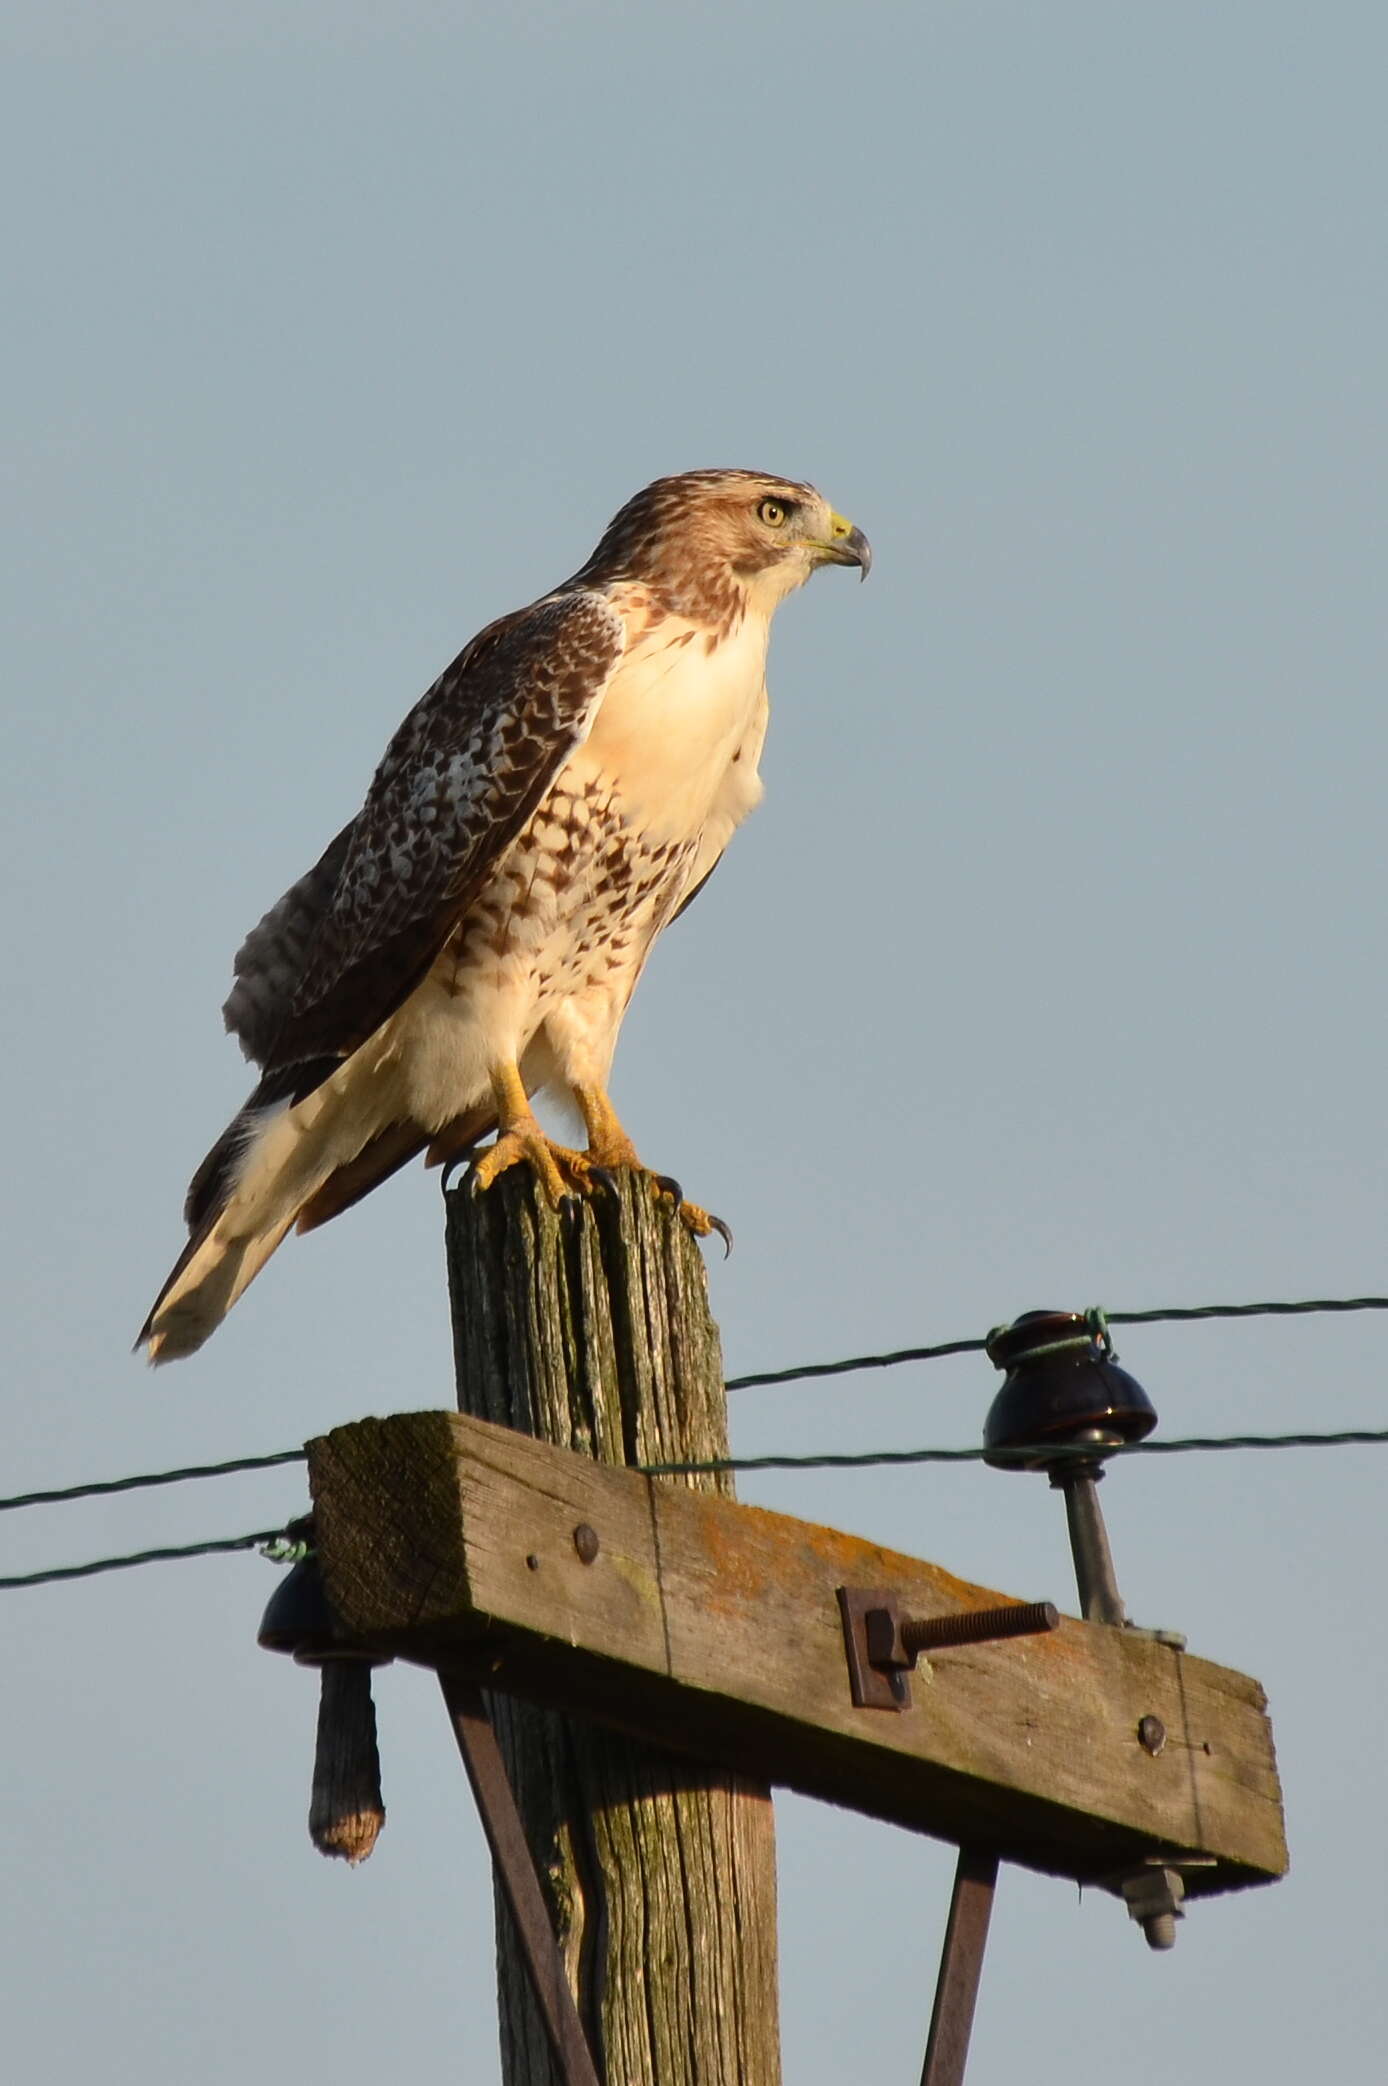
(460, 779)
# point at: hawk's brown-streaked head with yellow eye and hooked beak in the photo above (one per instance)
(719, 543)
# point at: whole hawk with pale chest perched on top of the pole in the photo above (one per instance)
(477, 931)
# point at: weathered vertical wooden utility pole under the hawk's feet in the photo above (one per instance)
(592, 1330)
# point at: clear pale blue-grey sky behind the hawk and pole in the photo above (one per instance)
(1047, 975)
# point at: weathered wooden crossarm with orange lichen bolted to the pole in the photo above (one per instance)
(715, 1630)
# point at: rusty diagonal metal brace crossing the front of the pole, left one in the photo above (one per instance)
(519, 1881)
